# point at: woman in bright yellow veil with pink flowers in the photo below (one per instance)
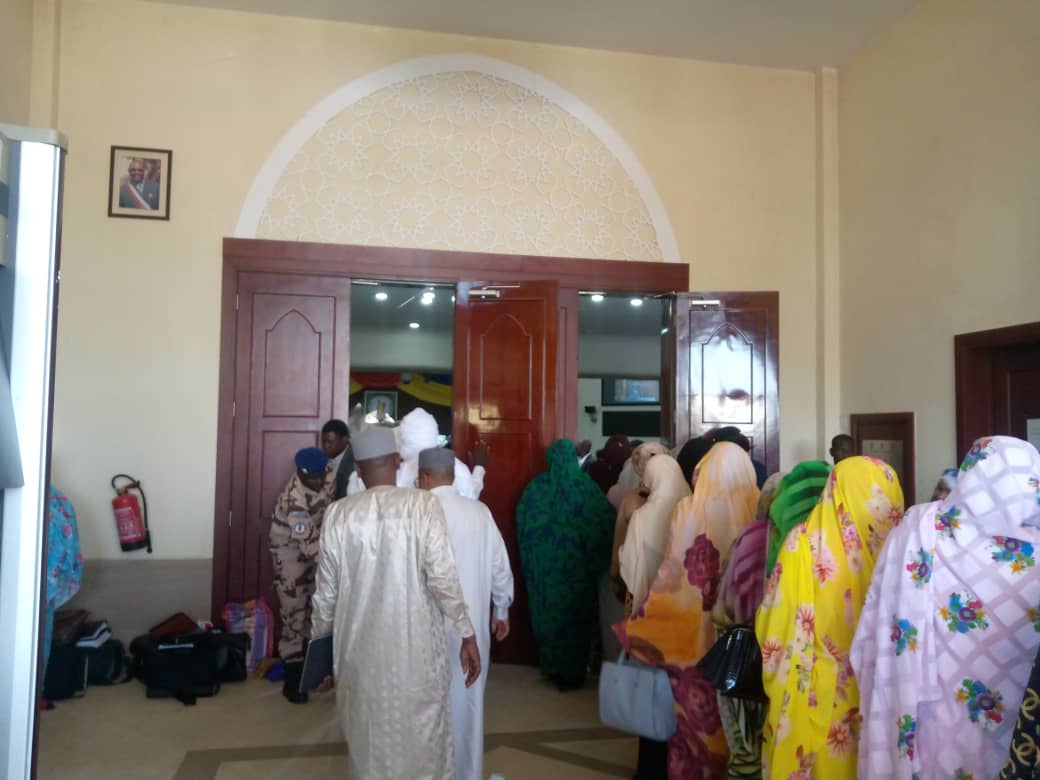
(809, 618)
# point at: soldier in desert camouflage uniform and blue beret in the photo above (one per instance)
(296, 533)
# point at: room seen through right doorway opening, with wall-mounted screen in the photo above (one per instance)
(620, 367)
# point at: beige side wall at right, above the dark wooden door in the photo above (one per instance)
(941, 205)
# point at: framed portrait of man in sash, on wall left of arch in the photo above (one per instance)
(139, 183)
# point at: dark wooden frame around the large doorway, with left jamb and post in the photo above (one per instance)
(253, 255)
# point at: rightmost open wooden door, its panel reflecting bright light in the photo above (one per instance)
(726, 370)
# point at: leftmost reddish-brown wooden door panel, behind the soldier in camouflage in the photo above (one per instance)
(292, 376)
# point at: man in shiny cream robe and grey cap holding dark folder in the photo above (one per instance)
(386, 585)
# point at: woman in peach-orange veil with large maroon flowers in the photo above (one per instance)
(672, 629)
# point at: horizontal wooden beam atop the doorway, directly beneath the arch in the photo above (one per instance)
(440, 266)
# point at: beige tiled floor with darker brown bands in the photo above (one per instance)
(250, 732)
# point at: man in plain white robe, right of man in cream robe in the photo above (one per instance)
(484, 569)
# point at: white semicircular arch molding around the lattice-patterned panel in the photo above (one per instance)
(317, 118)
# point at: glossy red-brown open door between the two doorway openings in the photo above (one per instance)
(506, 362)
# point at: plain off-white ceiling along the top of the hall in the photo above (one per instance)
(801, 35)
